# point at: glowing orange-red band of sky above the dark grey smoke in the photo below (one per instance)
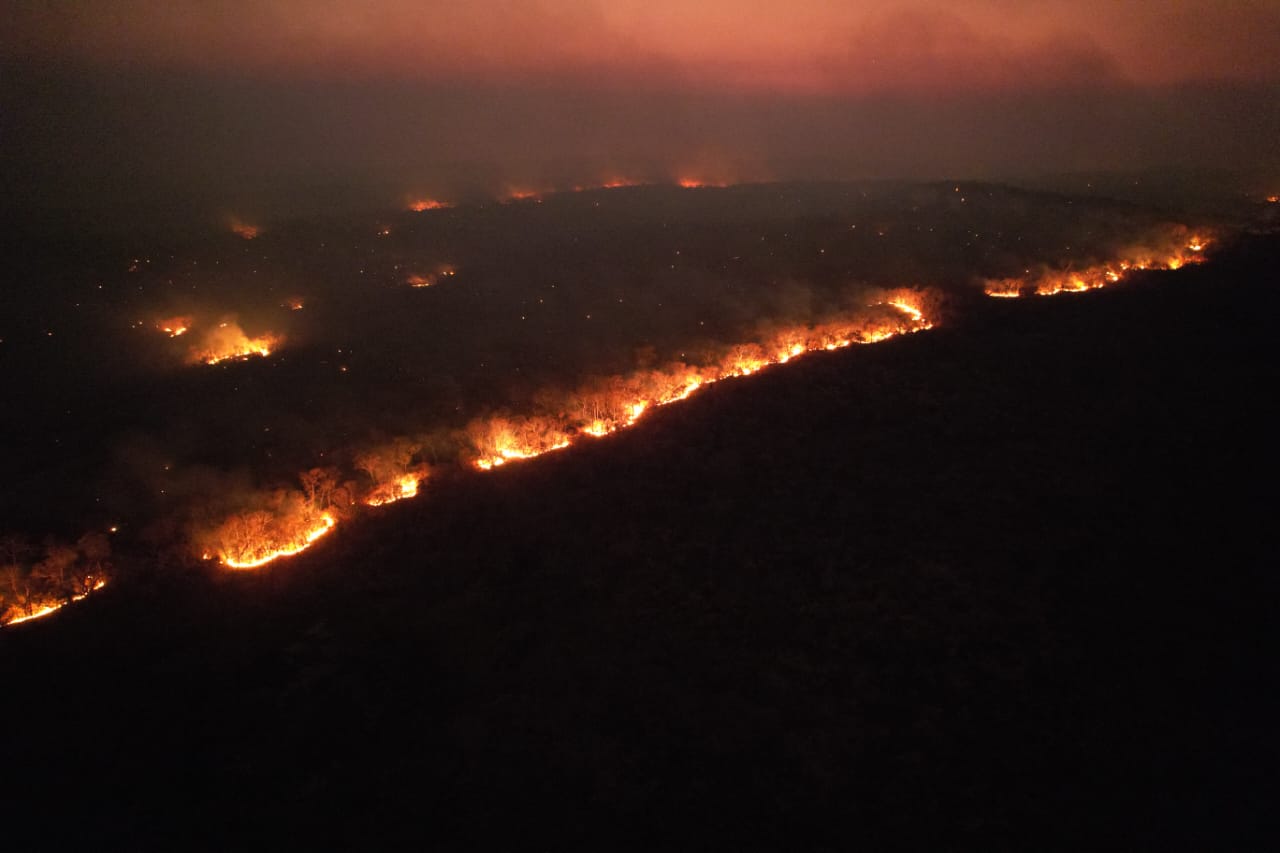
(793, 45)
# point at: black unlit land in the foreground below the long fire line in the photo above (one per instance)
(1005, 585)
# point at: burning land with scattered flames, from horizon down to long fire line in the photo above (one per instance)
(240, 400)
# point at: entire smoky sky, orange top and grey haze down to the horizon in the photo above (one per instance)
(217, 98)
